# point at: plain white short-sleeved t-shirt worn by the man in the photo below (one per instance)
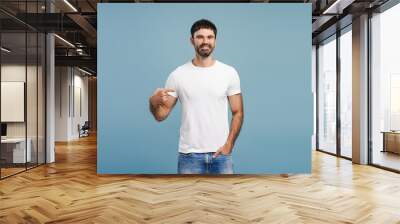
(203, 93)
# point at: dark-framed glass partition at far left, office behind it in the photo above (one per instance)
(22, 88)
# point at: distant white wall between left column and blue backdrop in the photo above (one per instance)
(70, 83)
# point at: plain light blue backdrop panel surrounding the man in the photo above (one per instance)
(268, 44)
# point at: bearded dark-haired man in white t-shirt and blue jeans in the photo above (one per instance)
(204, 86)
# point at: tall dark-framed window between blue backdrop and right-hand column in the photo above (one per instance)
(334, 93)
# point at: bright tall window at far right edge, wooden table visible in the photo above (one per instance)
(385, 89)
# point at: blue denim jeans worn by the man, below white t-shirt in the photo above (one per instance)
(203, 163)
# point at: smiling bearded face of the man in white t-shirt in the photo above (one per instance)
(203, 42)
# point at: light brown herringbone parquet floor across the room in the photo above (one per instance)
(70, 191)
